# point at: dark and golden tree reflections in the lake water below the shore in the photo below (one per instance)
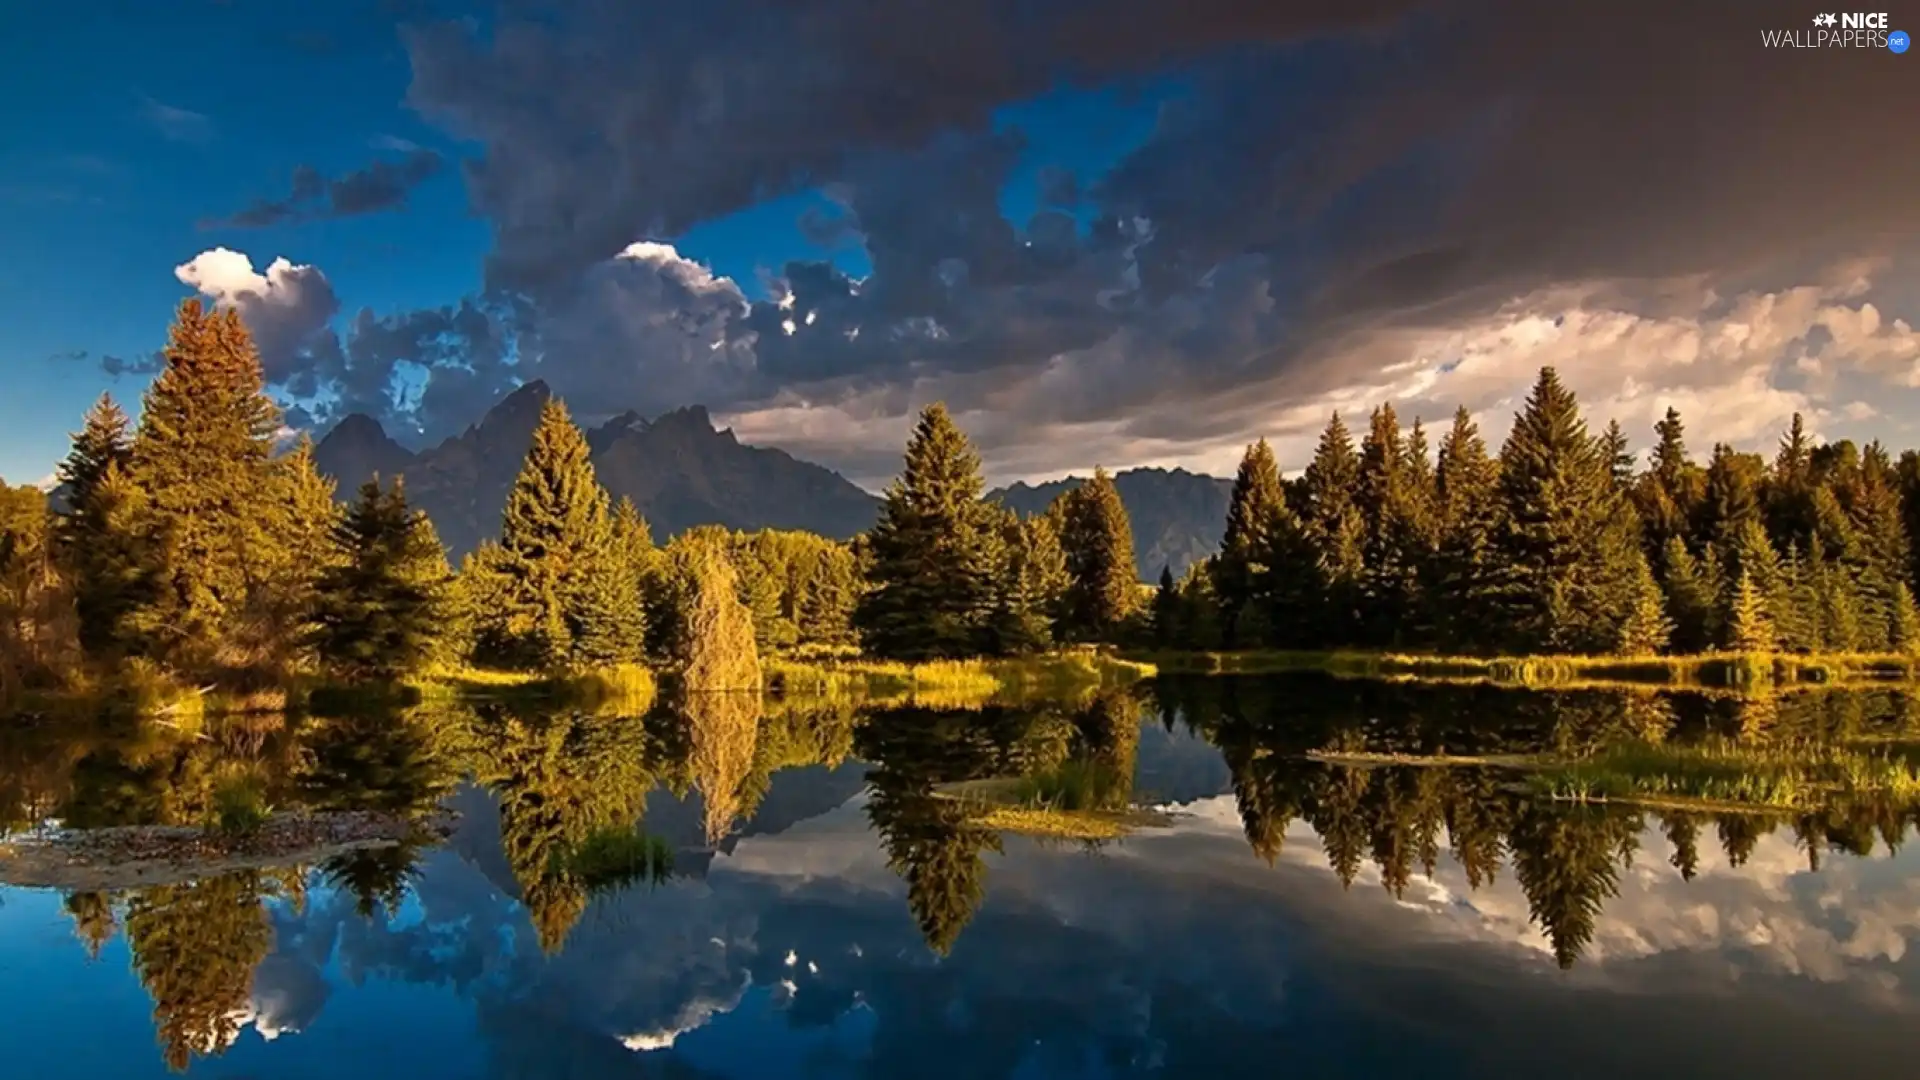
(1389, 777)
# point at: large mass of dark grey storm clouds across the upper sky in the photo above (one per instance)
(1322, 174)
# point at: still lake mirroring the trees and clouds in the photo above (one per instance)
(1205, 877)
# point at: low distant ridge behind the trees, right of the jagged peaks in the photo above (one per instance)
(1178, 516)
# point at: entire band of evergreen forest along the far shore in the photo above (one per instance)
(199, 549)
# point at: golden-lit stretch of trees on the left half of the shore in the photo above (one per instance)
(187, 549)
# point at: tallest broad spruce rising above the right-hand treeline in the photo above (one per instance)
(1568, 537)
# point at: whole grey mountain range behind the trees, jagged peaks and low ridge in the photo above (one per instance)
(683, 472)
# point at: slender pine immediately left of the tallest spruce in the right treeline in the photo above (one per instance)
(1464, 570)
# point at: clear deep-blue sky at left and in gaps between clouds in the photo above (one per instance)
(149, 128)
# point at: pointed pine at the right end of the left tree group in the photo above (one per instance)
(1097, 539)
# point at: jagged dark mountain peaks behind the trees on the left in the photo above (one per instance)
(679, 470)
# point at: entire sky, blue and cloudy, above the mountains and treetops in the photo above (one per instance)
(1274, 216)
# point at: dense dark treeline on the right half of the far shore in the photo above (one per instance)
(1558, 545)
